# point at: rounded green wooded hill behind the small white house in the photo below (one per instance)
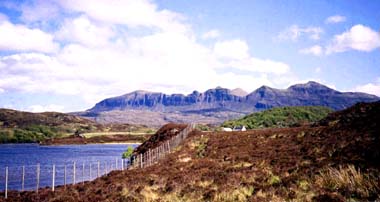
(281, 117)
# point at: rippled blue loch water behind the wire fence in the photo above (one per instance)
(86, 161)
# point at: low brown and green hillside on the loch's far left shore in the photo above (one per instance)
(26, 127)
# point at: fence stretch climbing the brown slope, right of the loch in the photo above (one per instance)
(152, 156)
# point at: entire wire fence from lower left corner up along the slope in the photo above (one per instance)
(33, 177)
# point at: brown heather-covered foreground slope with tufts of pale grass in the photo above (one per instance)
(337, 161)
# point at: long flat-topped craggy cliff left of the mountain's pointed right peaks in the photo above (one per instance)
(213, 98)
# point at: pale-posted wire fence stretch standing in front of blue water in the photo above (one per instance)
(33, 177)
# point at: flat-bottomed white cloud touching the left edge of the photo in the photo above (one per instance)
(21, 38)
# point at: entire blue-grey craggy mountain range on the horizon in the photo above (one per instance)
(216, 105)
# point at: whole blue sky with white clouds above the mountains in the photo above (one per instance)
(66, 55)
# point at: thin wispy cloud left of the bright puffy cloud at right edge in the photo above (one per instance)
(295, 32)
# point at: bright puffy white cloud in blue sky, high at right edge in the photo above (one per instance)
(359, 37)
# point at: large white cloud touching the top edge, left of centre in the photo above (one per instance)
(133, 13)
